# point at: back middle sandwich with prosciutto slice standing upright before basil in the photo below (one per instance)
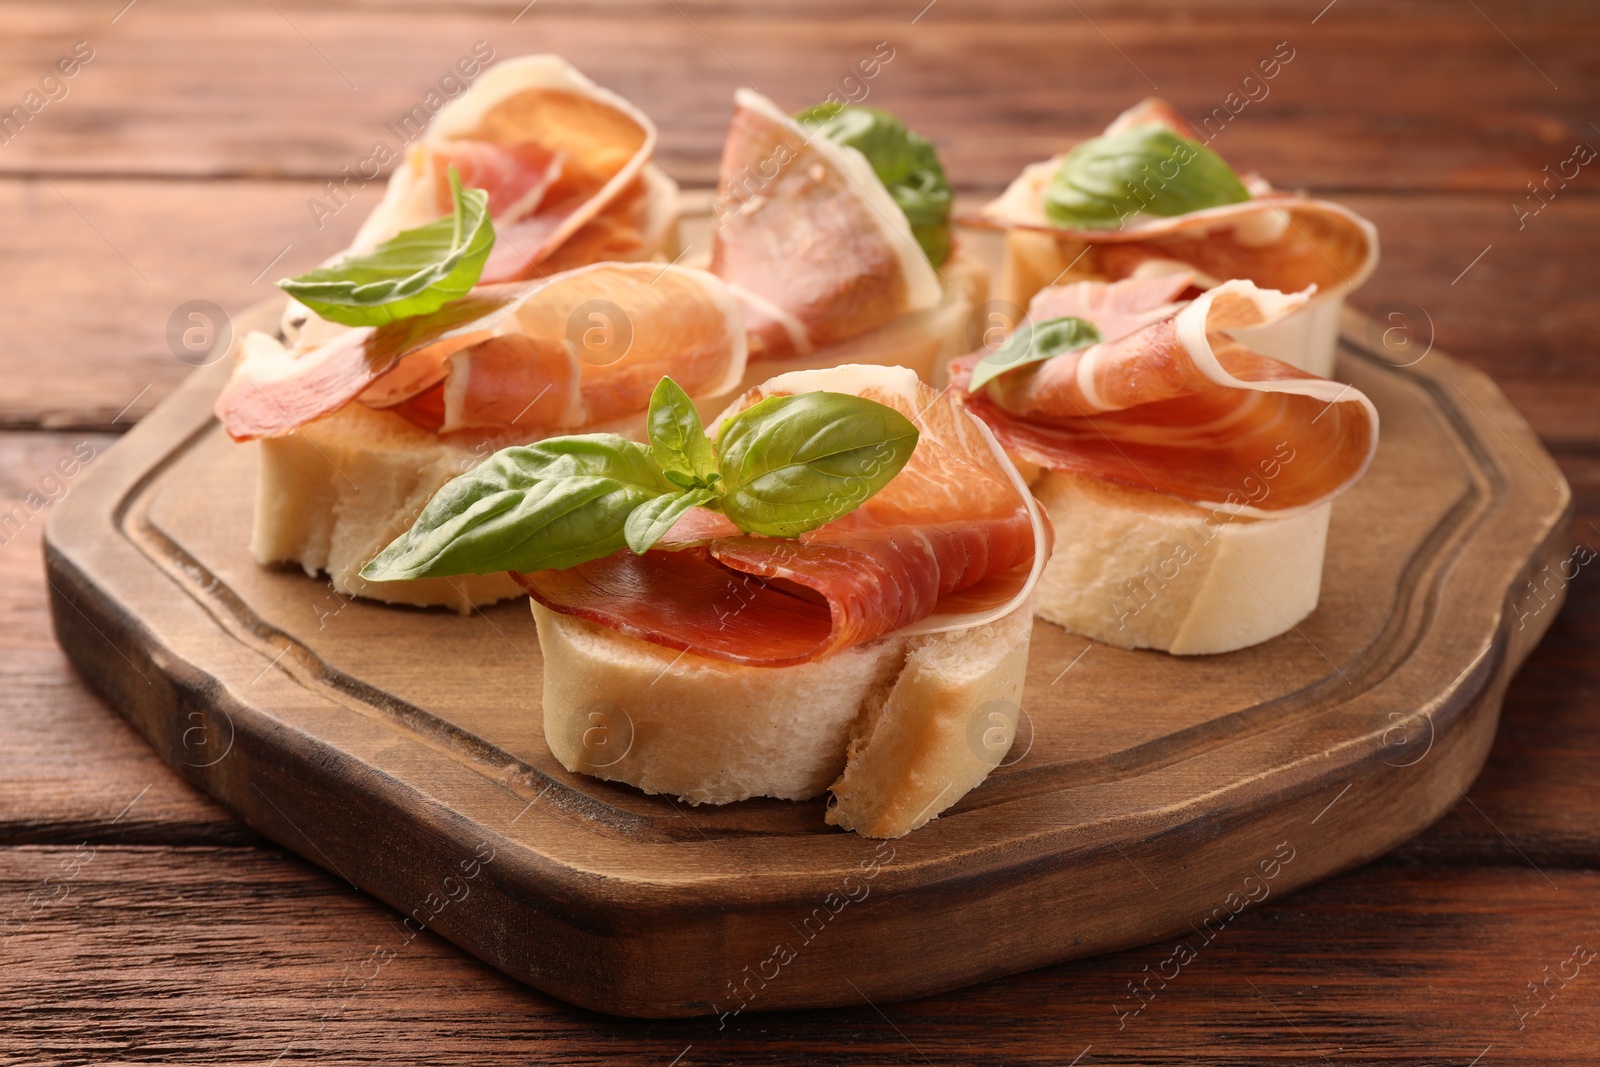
(833, 230)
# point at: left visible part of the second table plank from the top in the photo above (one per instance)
(102, 271)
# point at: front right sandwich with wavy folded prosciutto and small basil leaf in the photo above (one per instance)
(1190, 479)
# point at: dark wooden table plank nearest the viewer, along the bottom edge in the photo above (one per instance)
(249, 956)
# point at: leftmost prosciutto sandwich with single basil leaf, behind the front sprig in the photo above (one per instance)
(361, 428)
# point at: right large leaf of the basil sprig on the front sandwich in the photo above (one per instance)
(796, 463)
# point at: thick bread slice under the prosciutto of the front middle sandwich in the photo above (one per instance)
(898, 729)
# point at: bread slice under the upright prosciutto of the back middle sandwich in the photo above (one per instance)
(924, 342)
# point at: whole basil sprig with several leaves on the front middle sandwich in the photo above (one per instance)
(785, 466)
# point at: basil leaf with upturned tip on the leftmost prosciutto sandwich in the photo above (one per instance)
(412, 274)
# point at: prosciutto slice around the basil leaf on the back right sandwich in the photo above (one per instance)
(1274, 239)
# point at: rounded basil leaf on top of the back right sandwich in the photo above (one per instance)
(1146, 170)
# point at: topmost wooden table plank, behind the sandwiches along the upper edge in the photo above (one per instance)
(1377, 97)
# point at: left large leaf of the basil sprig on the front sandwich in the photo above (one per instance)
(554, 505)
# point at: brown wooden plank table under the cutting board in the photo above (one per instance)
(140, 922)
